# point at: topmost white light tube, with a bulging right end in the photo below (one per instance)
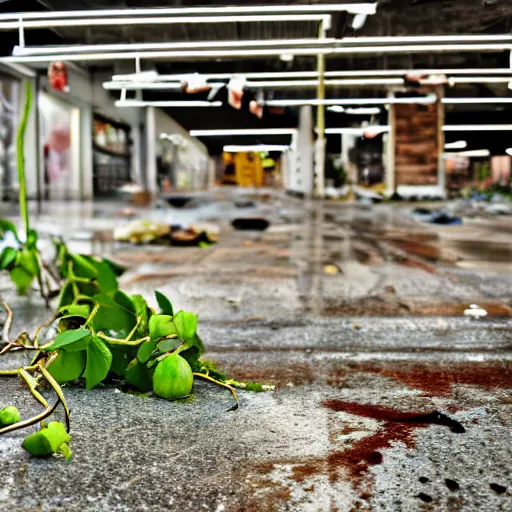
(356, 8)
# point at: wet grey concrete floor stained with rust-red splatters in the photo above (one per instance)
(362, 358)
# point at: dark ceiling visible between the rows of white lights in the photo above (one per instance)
(393, 18)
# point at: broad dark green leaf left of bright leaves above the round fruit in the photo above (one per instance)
(115, 314)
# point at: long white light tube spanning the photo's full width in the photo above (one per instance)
(261, 53)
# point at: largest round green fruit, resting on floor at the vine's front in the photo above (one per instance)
(173, 378)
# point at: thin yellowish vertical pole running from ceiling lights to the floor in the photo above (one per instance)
(320, 123)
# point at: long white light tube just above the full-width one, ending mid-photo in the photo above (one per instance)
(91, 48)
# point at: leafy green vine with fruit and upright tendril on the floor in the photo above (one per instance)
(103, 335)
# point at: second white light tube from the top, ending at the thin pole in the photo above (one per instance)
(159, 20)
